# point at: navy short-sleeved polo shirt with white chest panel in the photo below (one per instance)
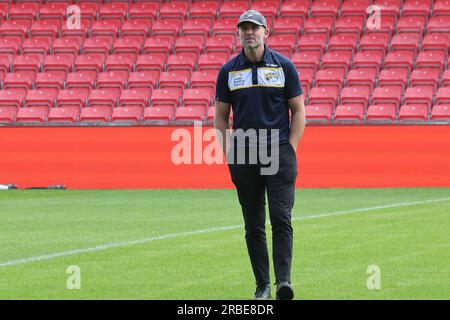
(258, 92)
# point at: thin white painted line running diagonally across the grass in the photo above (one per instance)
(202, 231)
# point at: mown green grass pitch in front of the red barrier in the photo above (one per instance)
(189, 244)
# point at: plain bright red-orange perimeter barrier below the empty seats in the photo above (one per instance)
(140, 157)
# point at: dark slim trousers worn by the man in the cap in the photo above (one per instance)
(251, 188)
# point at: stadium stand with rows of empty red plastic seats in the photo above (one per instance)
(156, 62)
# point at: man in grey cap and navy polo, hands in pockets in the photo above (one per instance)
(261, 86)
